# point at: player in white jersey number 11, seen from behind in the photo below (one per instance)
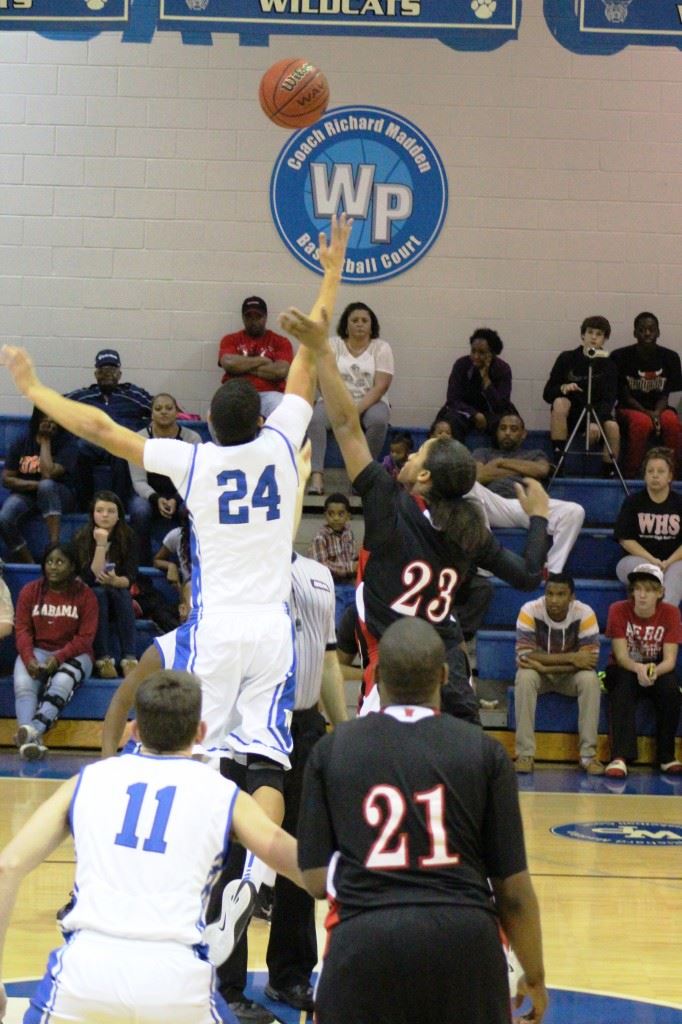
(151, 832)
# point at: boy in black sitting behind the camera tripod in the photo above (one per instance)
(567, 391)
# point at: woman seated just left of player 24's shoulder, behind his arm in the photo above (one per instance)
(156, 499)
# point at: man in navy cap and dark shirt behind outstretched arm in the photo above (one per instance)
(126, 404)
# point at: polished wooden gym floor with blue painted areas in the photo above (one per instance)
(612, 911)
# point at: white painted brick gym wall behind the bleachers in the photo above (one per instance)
(135, 202)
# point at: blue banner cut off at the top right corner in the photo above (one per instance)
(608, 26)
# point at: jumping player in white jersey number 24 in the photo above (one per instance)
(241, 494)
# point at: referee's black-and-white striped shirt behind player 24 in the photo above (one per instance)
(313, 609)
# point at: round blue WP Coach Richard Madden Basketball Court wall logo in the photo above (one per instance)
(381, 170)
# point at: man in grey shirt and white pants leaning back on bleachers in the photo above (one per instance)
(566, 519)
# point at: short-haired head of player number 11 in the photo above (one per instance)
(168, 708)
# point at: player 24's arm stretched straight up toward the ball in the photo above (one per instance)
(303, 379)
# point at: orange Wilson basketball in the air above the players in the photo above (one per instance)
(293, 94)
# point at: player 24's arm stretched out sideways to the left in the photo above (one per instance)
(82, 420)
